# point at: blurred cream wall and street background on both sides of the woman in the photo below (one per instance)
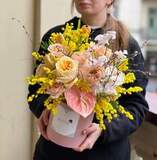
(22, 24)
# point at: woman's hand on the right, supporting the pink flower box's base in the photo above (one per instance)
(93, 133)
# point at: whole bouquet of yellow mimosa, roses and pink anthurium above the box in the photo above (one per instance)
(85, 74)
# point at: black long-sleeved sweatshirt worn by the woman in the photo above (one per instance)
(113, 144)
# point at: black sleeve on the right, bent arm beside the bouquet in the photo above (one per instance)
(136, 104)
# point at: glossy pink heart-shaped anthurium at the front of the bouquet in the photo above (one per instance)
(81, 102)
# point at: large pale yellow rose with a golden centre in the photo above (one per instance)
(67, 69)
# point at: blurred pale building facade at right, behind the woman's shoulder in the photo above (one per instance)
(141, 18)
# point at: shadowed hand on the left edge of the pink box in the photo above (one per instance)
(43, 123)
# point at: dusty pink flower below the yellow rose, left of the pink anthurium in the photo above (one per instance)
(56, 90)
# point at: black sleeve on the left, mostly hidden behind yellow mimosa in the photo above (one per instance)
(37, 105)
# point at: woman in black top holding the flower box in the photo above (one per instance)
(111, 144)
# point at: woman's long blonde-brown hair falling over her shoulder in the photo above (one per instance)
(122, 34)
